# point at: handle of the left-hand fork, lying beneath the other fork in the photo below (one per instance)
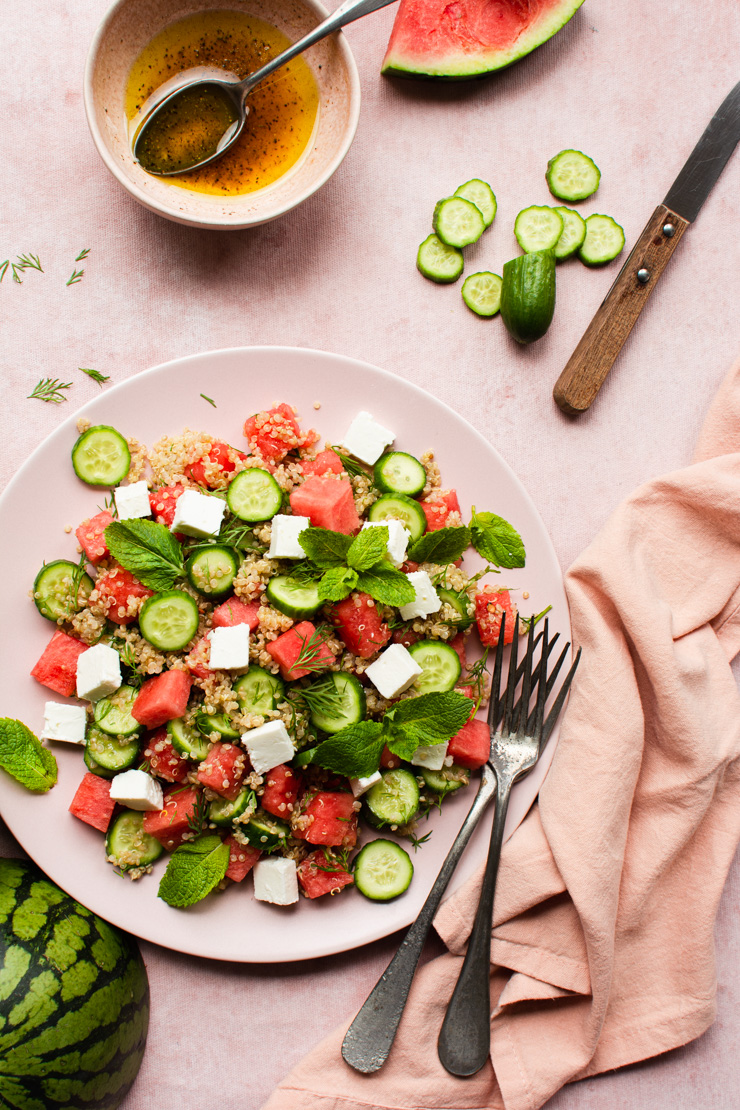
(370, 1037)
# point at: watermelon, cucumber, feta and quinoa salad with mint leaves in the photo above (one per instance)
(268, 645)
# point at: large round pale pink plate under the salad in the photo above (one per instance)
(46, 497)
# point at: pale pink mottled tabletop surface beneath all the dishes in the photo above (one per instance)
(634, 85)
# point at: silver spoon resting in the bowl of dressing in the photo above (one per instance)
(220, 84)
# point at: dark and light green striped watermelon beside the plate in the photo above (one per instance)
(74, 1000)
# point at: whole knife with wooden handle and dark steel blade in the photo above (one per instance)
(593, 359)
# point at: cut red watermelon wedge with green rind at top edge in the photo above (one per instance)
(458, 39)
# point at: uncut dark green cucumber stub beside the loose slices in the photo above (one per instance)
(529, 296)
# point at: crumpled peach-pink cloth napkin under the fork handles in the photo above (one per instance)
(603, 950)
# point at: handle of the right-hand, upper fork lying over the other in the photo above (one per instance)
(464, 1044)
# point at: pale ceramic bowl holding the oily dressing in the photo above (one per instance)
(127, 29)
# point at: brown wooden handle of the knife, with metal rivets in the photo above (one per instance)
(605, 337)
